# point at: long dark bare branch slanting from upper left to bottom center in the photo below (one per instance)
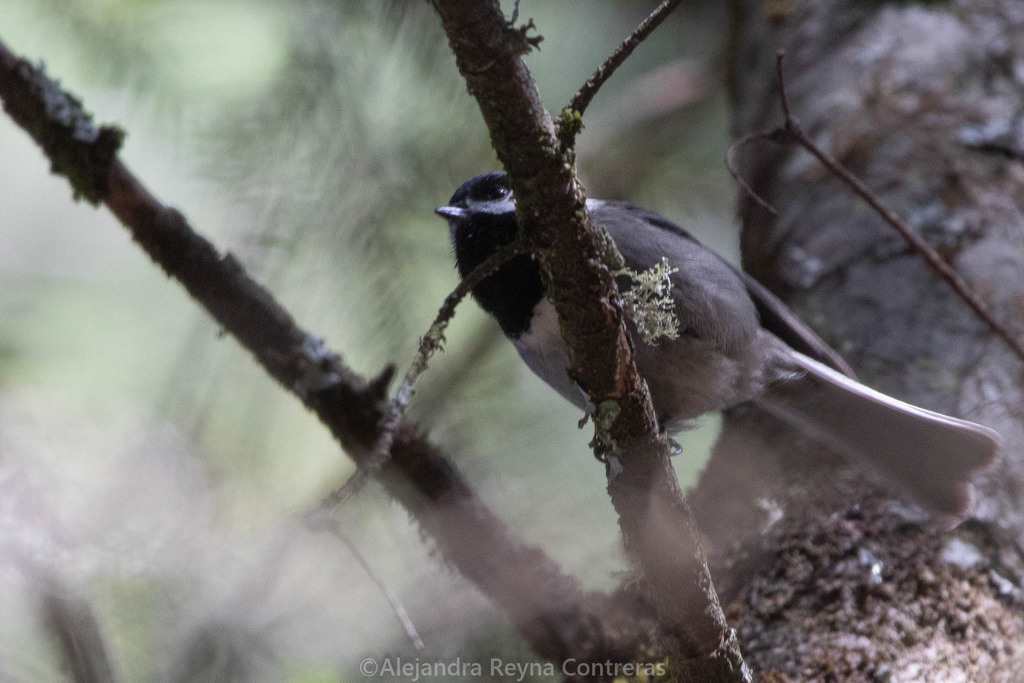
(553, 615)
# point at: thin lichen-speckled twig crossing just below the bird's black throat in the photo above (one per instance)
(430, 344)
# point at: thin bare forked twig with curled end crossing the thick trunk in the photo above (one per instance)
(791, 133)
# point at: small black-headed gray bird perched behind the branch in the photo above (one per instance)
(736, 345)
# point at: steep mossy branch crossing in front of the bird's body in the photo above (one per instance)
(556, 225)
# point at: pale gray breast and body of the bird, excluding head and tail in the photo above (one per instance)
(719, 358)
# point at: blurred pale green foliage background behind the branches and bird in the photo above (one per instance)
(148, 466)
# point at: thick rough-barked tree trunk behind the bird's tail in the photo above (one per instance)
(825, 575)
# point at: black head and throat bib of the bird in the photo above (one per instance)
(482, 221)
